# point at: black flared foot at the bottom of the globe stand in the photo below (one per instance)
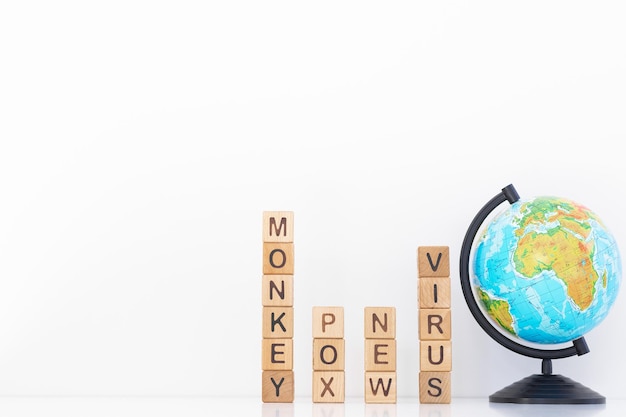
(547, 389)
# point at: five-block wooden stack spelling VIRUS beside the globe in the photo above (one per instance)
(435, 327)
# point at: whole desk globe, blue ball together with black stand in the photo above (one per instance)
(545, 272)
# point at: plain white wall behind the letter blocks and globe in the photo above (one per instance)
(140, 143)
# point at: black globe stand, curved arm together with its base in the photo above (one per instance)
(544, 388)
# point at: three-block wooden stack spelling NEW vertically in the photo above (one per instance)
(380, 355)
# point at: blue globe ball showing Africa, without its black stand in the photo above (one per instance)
(546, 270)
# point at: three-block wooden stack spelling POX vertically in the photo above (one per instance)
(328, 355)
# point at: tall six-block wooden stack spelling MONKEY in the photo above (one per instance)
(277, 296)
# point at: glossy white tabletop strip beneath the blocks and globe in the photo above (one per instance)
(251, 406)
